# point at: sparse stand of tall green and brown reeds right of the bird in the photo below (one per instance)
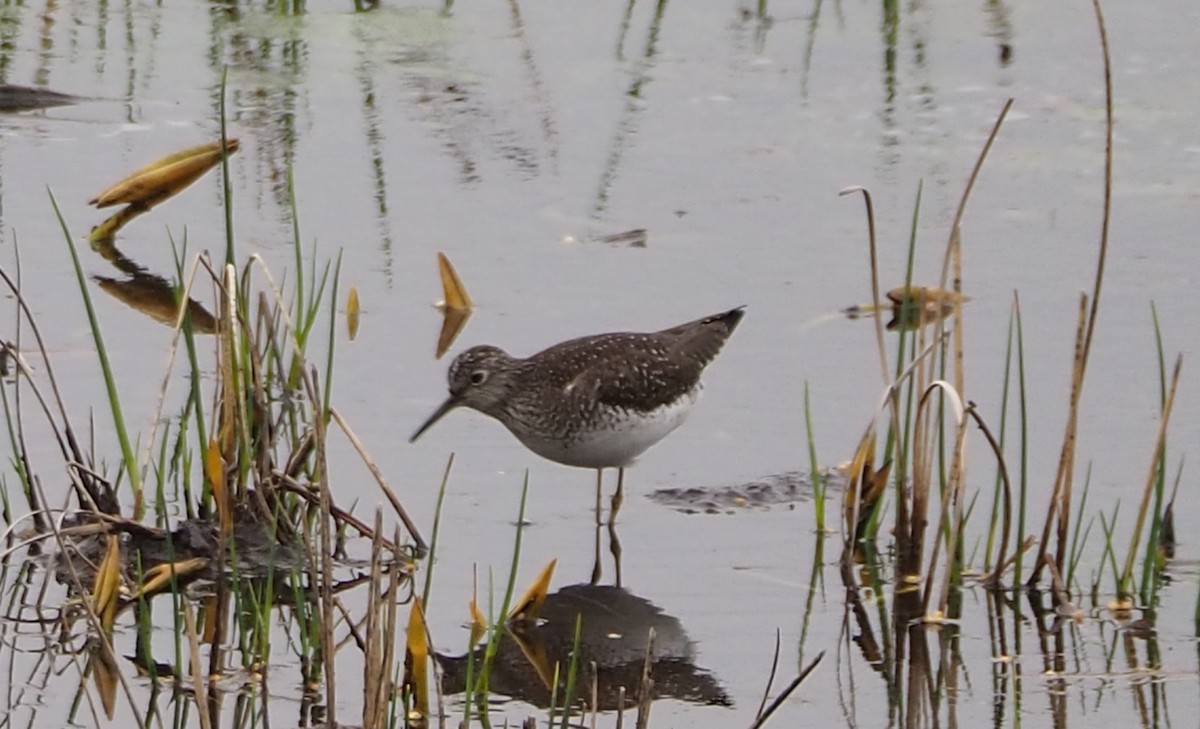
(932, 507)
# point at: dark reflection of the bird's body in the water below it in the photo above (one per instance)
(614, 638)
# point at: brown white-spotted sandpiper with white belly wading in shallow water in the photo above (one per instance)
(595, 402)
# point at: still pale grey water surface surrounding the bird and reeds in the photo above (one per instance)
(512, 137)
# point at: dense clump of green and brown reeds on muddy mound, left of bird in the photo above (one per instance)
(235, 490)
